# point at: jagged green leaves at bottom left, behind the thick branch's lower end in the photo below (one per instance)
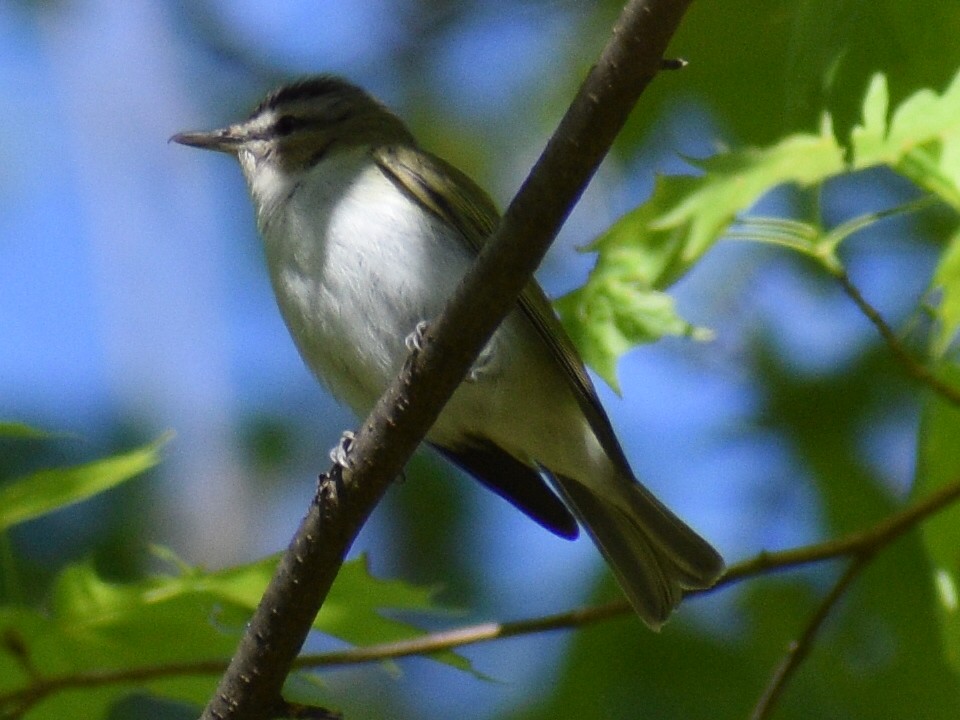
(190, 617)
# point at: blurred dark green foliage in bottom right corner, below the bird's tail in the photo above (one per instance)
(877, 657)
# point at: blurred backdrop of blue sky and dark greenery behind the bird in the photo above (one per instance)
(134, 299)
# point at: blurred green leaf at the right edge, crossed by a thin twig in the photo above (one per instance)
(938, 464)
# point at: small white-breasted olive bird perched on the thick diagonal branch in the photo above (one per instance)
(366, 236)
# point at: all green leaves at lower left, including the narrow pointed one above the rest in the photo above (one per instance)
(171, 634)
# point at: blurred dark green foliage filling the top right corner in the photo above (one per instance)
(768, 68)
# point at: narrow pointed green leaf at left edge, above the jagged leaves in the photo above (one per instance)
(48, 490)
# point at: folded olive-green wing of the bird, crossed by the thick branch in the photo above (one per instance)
(457, 200)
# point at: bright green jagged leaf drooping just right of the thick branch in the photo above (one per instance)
(622, 304)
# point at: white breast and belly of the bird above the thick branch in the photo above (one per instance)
(355, 265)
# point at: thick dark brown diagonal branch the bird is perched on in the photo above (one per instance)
(251, 687)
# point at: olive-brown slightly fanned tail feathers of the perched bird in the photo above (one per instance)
(654, 555)
